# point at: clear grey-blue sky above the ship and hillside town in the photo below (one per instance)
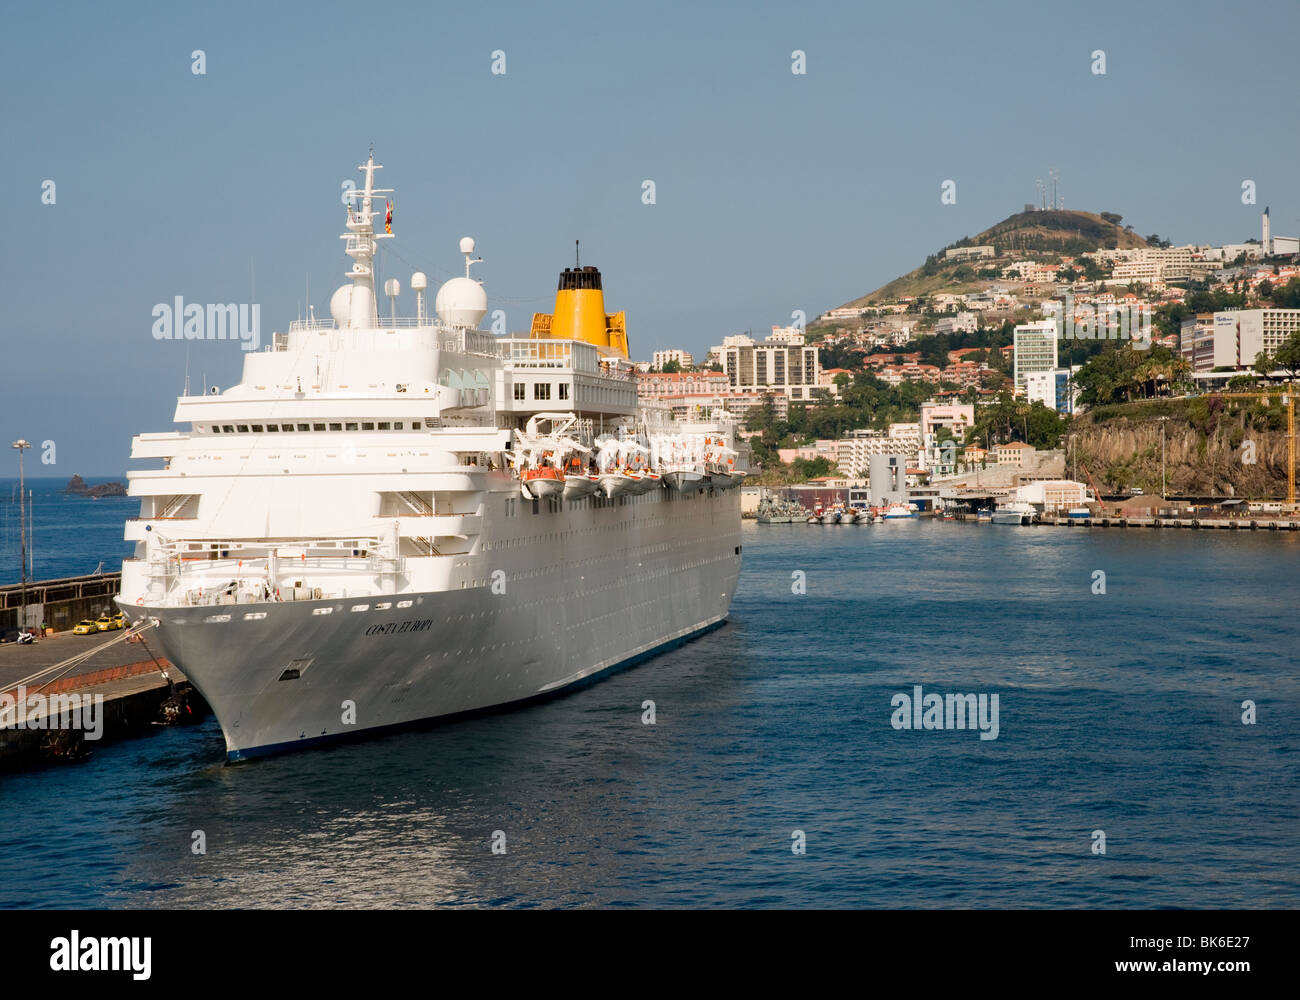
(775, 192)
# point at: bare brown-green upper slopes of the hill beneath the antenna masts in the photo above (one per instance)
(1054, 232)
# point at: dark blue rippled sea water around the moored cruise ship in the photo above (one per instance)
(1119, 712)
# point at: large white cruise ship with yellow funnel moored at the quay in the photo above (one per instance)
(402, 520)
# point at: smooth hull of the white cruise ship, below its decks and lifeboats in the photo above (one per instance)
(603, 587)
